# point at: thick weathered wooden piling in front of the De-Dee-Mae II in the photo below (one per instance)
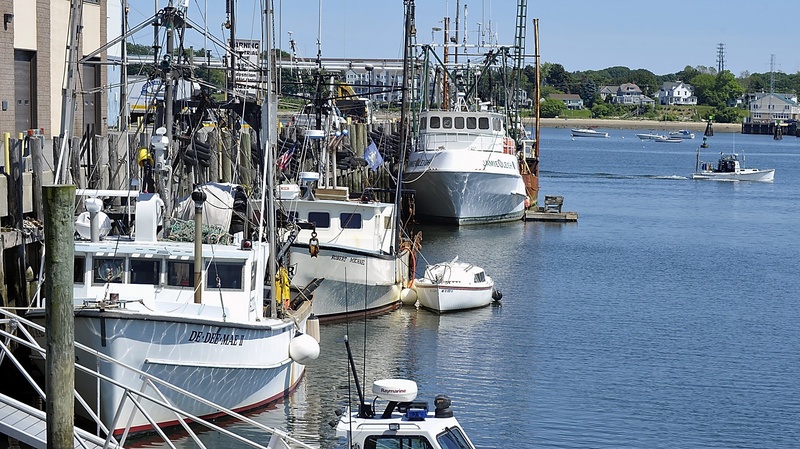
(60, 322)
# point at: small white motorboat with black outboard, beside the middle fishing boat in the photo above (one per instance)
(454, 285)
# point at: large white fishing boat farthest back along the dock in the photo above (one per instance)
(465, 169)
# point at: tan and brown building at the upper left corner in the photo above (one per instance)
(32, 64)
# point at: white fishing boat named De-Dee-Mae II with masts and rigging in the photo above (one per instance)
(187, 294)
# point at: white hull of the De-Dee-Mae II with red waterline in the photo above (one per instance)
(239, 366)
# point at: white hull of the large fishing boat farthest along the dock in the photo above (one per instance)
(466, 187)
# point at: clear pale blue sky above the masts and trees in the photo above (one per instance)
(663, 37)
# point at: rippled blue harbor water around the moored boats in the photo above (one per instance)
(666, 317)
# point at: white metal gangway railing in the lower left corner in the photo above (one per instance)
(12, 324)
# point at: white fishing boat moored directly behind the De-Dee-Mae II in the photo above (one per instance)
(351, 245)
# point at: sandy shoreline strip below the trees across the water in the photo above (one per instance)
(633, 124)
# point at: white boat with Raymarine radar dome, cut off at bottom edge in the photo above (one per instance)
(404, 421)
